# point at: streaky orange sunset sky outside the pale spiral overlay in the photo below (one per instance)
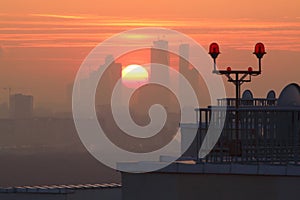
(42, 43)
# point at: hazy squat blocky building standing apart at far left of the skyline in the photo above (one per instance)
(21, 106)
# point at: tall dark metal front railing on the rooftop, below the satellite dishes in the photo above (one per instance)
(264, 134)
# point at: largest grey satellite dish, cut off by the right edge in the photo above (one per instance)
(290, 95)
